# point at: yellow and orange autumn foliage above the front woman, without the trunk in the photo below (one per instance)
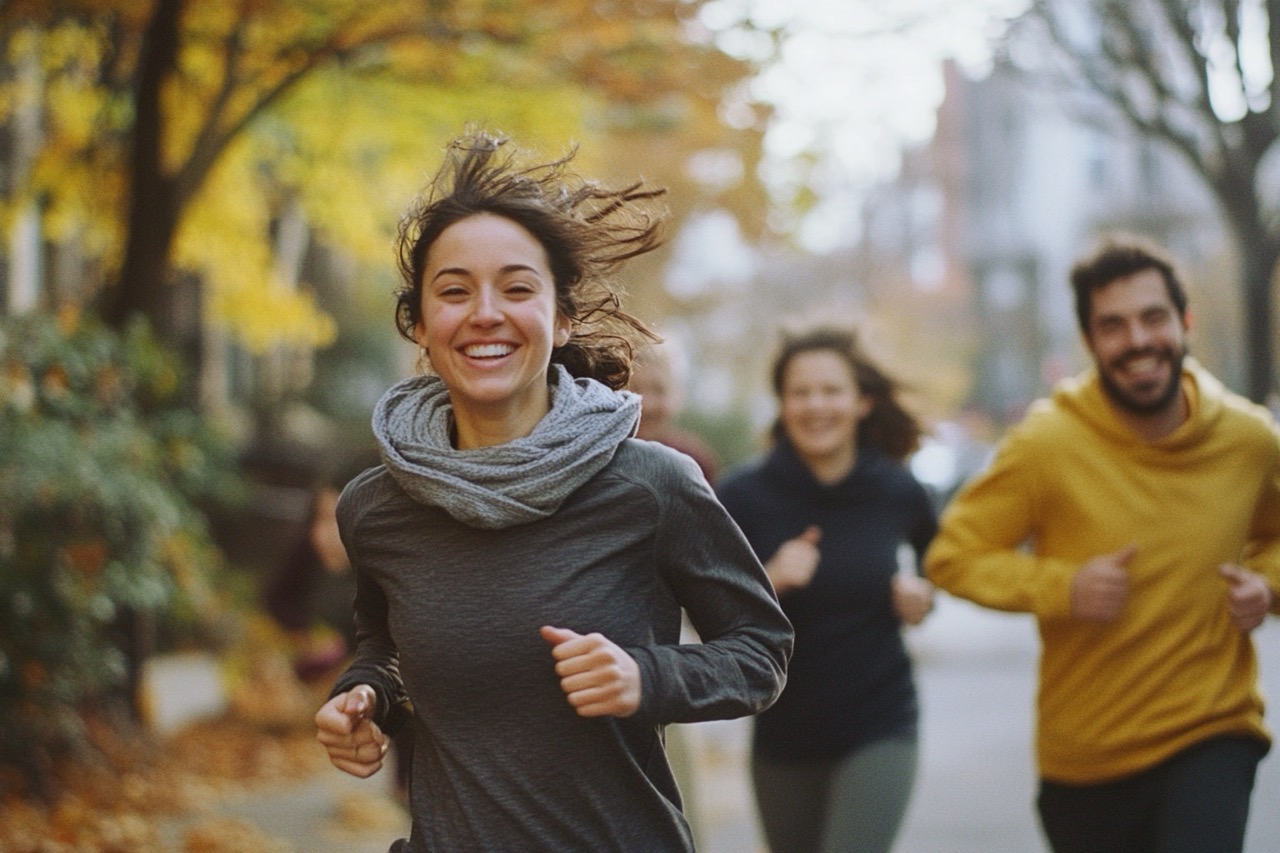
(339, 108)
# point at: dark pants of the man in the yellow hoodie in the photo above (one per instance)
(1195, 802)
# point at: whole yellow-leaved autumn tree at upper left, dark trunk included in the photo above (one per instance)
(191, 162)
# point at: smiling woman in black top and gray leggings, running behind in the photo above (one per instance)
(830, 509)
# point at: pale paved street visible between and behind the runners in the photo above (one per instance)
(977, 678)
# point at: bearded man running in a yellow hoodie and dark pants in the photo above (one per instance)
(1137, 516)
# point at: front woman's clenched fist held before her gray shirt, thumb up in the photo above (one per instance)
(600, 679)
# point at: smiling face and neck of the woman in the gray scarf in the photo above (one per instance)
(490, 325)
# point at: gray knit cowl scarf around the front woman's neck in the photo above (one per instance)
(508, 485)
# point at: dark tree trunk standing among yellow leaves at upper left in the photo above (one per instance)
(154, 203)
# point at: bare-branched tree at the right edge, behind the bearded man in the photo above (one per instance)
(1199, 77)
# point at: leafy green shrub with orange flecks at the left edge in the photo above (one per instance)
(104, 468)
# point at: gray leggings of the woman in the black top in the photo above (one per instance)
(854, 805)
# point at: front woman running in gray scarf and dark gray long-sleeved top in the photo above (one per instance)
(522, 563)
